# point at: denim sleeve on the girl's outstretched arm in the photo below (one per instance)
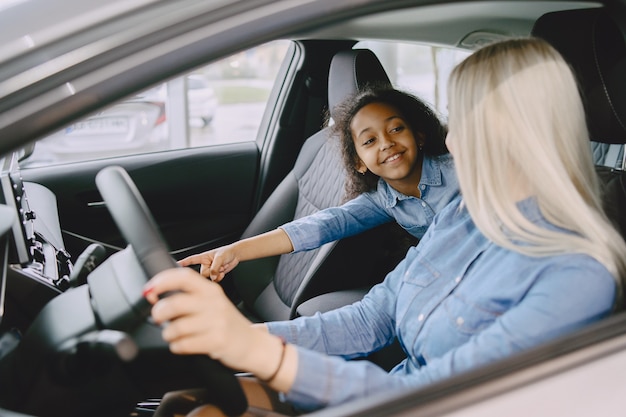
(362, 213)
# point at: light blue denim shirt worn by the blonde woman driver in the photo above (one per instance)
(455, 302)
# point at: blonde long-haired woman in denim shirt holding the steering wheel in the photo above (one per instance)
(525, 256)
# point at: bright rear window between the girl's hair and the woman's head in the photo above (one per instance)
(418, 69)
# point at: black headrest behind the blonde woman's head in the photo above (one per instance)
(594, 46)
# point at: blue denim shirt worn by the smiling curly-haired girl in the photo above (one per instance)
(438, 185)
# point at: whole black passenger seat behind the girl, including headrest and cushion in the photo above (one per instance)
(271, 288)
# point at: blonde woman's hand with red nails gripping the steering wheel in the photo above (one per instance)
(198, 318)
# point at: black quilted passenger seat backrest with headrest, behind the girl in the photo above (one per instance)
(268, 287)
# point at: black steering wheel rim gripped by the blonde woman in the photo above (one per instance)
(135, 222)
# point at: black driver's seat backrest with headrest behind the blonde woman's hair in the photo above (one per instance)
(594, 46)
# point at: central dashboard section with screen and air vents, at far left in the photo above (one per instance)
(35, 265)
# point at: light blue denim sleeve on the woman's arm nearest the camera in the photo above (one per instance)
(563, 300)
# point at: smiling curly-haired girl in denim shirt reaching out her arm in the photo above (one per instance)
(399, 169)
